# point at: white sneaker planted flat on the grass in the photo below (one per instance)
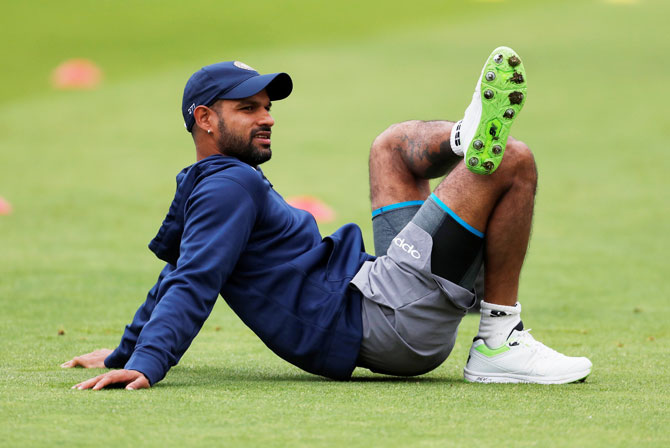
(523, 360)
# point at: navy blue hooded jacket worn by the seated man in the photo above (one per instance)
(228, 232)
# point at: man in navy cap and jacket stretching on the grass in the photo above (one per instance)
(324, 304)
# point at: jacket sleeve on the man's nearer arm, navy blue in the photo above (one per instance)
(219, 217)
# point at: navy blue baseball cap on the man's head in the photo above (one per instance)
(229, 80)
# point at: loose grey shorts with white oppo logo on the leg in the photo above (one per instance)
(410, 316)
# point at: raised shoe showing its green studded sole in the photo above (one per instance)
(480, 137)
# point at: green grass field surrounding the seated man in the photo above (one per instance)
(90, 175)
